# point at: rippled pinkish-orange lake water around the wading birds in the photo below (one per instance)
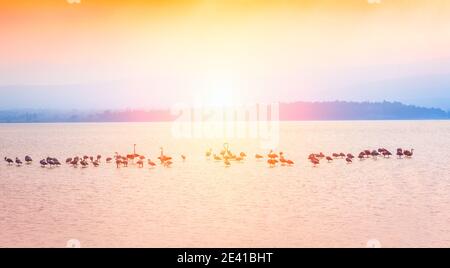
(200, 203)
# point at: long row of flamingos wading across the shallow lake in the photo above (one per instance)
(225, 155)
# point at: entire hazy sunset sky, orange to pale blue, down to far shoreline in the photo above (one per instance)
(113, 54)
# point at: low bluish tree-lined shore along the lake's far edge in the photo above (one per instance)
(296, 111)
